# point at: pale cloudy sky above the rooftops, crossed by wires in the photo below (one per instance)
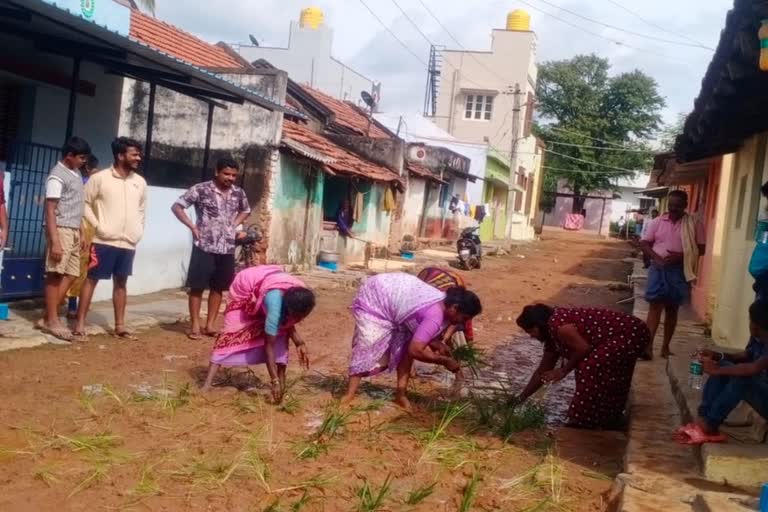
(361, 41)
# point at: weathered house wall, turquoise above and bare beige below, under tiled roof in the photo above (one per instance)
(296, 225)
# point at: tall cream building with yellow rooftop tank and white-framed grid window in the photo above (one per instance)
(488, 97)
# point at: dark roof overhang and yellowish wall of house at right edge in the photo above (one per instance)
(730, 123)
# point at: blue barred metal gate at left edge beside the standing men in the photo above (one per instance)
(24, 260)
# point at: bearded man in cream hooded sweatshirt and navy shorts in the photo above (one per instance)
(115, 205)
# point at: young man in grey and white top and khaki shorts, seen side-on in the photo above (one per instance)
(63, 218)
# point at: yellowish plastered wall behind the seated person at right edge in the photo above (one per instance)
(730, 323)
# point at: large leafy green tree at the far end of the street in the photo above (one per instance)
(596, 126)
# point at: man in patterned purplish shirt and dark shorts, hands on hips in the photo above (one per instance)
(220, 206)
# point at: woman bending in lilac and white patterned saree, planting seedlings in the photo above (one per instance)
(399, 318)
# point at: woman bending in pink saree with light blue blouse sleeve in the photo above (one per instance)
(265, 304)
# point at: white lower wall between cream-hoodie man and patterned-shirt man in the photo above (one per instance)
(162, 256)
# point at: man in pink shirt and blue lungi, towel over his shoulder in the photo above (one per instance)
(673, 242)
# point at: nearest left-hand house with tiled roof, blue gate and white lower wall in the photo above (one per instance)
(79, 69)
